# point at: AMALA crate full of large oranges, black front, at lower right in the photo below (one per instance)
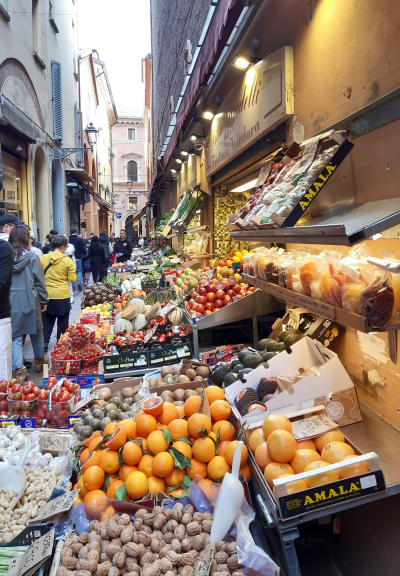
(302, 476)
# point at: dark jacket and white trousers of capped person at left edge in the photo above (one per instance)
(6, 262)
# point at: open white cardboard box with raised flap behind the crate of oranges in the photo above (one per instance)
(327, 377)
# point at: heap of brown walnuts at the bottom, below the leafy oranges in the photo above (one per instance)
(157, 543)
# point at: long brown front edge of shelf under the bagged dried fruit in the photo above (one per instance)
(317, 306)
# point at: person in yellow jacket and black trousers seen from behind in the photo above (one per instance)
(58, 270)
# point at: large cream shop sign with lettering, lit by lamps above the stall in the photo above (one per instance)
(256, 104)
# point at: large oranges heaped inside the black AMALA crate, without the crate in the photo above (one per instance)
(279, 455)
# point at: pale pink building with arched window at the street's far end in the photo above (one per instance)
(130, 180)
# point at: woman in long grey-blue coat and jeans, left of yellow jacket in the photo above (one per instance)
(28, 300)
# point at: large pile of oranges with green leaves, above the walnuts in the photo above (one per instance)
(160, 451)
